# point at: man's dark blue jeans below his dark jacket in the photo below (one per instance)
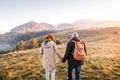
(77, 72)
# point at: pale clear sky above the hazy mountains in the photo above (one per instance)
(16, 12)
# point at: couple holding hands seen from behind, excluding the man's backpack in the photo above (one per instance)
(49, 49)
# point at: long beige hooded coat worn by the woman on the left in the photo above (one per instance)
(48, 51)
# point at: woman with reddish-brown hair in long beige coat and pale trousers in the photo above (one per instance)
(48, 50)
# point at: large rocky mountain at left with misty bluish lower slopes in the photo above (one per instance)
(24, 32)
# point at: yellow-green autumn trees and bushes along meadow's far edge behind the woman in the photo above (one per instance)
(22, 45)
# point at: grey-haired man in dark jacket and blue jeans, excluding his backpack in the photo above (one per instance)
(72, 63)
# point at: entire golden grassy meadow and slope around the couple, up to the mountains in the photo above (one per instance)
(102, 62)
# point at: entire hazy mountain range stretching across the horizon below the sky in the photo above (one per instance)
(32, 29)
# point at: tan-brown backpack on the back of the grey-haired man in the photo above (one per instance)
(79, 52)
